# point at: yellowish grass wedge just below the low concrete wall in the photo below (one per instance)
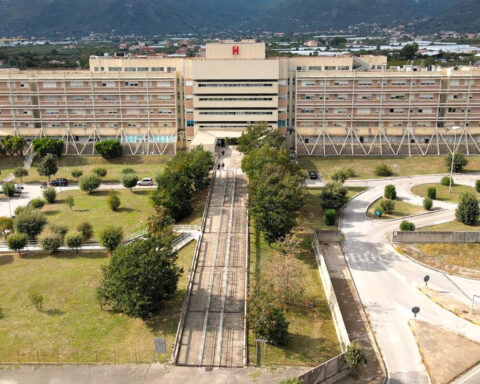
(463, 255)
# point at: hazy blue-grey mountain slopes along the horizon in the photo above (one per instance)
(149, 17)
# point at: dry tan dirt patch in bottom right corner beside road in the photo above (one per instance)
(445, 354)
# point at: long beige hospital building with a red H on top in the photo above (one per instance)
(326, 106)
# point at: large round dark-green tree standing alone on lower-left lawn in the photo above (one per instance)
(140, 277)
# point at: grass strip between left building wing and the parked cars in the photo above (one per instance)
(146, 166)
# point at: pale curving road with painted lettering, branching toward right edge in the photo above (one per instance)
(387, 281)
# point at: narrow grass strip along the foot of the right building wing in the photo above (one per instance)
(364, 167)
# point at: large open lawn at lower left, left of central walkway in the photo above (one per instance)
(71, 321)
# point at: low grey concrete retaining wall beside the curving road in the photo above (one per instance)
(435, 237)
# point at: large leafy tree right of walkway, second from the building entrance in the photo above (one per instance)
(274, 200)
